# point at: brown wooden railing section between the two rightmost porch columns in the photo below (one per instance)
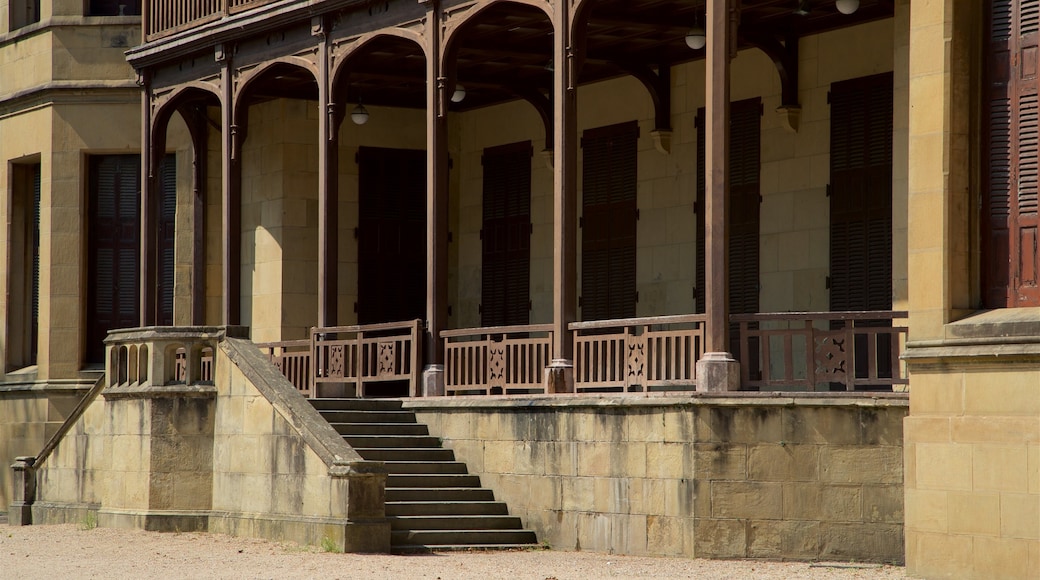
(642, 355)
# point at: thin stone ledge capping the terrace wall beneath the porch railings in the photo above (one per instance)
(693, 400)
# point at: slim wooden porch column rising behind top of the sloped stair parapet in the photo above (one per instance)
(231, 196)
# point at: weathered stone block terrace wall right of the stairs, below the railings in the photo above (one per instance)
(801, 478)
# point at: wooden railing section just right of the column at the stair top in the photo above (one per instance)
(499, 360)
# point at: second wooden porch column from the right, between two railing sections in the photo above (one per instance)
(560, 376)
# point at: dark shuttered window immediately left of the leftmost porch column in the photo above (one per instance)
(115, 248)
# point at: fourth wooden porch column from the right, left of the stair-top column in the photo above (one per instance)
(328, 188)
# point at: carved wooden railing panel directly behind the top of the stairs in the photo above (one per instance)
(354, 356)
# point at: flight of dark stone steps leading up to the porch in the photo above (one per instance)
(432, 502)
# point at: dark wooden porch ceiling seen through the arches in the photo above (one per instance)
(508, 49)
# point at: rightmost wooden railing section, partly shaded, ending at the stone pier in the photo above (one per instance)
(821, 351)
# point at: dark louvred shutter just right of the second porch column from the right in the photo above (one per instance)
(609, 222)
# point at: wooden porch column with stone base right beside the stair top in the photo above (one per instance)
(437, 205)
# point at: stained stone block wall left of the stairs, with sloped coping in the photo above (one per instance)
(247, 456)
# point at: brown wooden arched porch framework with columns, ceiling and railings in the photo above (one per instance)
(457, 58)
